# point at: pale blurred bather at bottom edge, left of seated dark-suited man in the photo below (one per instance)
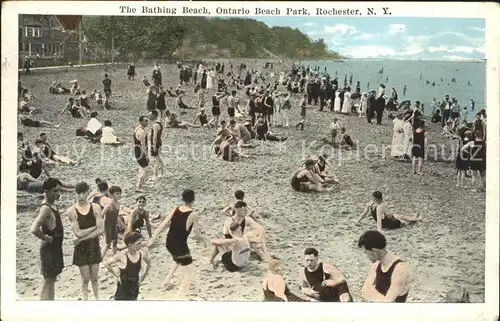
(274, 286)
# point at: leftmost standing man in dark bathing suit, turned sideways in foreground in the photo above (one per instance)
(49, 229)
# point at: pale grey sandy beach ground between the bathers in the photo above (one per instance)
(446, 250)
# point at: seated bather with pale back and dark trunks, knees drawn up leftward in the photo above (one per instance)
(235, 250)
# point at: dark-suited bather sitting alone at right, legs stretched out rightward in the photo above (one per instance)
(382, 218)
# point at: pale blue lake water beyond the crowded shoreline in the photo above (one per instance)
(405, 72)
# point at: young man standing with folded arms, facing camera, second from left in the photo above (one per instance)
(87, 225)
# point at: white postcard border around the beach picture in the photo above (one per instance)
(75, 310)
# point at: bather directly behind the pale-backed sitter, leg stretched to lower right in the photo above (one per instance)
(256, 236)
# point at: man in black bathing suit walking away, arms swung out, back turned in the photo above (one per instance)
(182, 220)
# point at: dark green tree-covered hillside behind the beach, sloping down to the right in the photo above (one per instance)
(194, 37)
